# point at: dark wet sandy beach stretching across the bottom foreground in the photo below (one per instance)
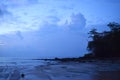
(47, 70)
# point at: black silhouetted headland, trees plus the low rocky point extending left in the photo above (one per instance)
(103, 46)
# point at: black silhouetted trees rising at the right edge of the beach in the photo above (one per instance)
(107, 43)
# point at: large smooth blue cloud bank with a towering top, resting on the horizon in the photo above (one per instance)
(51, 40)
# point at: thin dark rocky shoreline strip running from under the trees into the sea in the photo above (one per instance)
(83, 59)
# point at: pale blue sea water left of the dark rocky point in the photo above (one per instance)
(13, 61)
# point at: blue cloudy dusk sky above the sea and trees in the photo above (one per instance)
(52, 28)
